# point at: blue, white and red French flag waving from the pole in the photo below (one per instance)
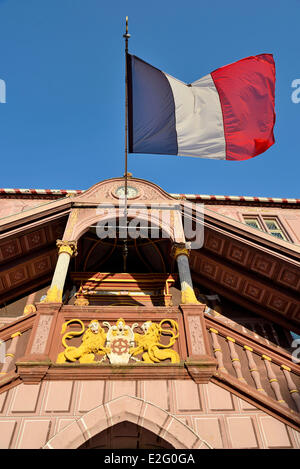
(228, 114)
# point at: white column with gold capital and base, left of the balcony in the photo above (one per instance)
(66, 249)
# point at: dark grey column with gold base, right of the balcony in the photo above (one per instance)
(181, 254)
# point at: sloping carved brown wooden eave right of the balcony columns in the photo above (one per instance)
(250, 268)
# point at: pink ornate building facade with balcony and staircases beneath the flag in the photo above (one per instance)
(148, 339)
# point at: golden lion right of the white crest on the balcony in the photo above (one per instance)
(149, 342)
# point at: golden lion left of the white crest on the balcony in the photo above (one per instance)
(93, 341)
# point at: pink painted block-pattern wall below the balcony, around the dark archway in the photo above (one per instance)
(32, 415)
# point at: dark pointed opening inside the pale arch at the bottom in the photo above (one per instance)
(126, 435)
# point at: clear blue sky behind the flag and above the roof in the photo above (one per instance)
(62, 126)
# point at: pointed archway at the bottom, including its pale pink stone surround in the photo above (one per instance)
(143, 415)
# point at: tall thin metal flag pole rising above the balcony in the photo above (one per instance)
(125, 247)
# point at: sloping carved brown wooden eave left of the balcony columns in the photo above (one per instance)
(28, 251)
